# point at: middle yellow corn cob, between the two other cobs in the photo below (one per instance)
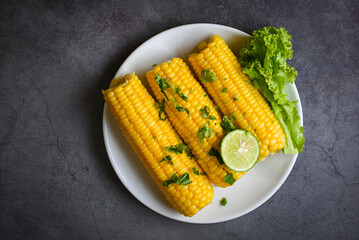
(188, 125)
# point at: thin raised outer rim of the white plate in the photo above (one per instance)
(190, 220)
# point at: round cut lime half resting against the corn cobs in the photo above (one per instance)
(240, 150)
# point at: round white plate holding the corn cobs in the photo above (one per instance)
(249, 192)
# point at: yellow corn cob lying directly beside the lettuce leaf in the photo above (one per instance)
(239, 98)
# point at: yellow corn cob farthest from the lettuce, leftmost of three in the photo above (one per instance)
(135, 112)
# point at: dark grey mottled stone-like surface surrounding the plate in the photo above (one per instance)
(56, 181)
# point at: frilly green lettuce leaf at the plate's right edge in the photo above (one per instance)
(264, 60)
